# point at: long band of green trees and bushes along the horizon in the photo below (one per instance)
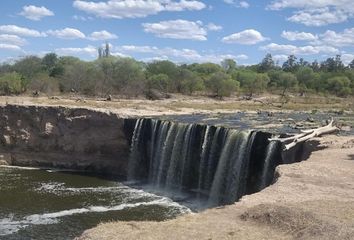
(110, 75)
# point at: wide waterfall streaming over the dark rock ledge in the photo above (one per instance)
(219, 164)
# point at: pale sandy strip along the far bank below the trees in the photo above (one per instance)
(181, 104)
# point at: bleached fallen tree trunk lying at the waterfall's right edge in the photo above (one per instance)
(305, 135)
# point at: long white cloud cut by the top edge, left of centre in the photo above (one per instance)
(135, 8)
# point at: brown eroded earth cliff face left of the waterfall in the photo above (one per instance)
(64, 138)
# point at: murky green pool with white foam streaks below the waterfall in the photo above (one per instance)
(49, 204)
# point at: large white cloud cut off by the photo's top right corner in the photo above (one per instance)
(316, 12)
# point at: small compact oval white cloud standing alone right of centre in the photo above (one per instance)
(246, 37)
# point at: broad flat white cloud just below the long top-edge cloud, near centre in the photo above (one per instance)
(177, 29)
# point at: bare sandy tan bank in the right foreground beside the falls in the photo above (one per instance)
(313, 199)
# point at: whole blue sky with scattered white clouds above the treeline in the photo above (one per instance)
(183, 31)
